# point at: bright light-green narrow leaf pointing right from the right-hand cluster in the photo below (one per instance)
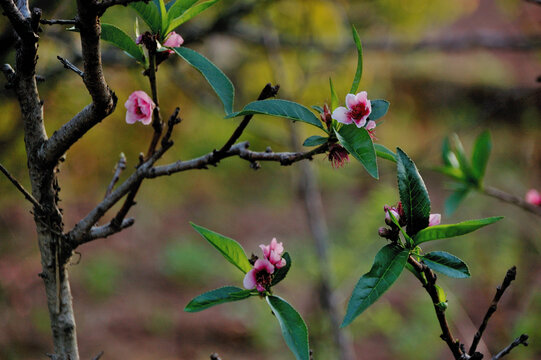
(437, 232)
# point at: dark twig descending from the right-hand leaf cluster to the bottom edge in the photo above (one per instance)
(430, 287)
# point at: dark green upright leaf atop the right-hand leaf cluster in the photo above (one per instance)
(413, 193)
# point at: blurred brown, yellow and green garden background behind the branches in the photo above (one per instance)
(446, 67)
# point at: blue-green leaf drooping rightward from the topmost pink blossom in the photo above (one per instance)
(215, 77)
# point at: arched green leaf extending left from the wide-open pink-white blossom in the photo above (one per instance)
(282, 108)
